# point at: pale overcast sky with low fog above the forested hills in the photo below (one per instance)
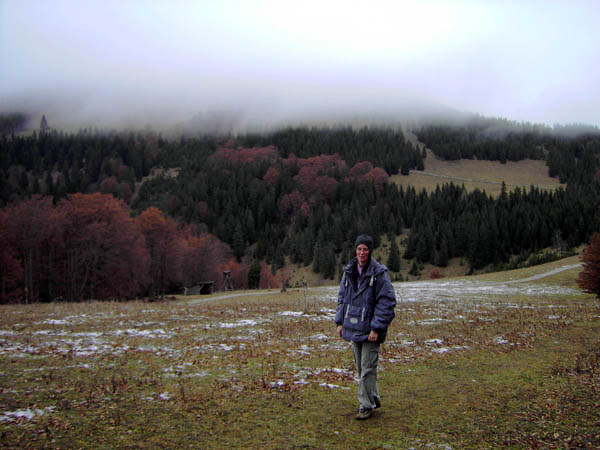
(149, 61)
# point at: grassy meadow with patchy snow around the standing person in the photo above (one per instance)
(470, 363)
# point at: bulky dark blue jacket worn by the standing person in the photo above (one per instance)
(366, 304)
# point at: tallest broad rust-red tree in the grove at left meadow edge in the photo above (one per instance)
(98, 251)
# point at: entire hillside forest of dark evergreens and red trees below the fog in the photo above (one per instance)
(117, 215)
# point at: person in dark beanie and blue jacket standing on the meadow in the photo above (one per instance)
(365, 309)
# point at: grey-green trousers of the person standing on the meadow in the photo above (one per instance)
(366, 356)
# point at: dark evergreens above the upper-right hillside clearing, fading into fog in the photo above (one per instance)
(571, 152)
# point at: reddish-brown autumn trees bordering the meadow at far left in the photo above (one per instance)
(89, 247)
